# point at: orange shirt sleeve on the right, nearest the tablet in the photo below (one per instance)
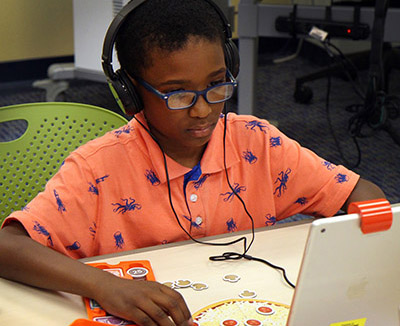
(305, 183)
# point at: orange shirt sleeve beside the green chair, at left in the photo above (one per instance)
(62, 217)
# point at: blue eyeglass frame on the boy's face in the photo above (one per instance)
(166, 96)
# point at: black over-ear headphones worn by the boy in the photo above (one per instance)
(121, 86)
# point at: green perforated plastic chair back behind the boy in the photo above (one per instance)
(54, 129)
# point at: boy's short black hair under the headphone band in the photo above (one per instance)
(166, 25)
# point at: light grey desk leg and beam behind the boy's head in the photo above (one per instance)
(257, 19)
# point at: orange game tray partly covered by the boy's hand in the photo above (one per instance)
(139, 270)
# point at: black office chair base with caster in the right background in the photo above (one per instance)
(379, 109)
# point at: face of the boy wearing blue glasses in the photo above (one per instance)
(200, 64)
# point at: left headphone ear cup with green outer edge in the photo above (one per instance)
(125, 93)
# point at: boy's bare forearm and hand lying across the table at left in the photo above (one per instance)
(147, 303)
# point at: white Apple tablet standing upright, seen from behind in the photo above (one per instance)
(348, 278)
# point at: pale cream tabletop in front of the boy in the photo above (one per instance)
(282, 245)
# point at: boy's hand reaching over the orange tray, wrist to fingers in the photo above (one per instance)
(146, 303)
